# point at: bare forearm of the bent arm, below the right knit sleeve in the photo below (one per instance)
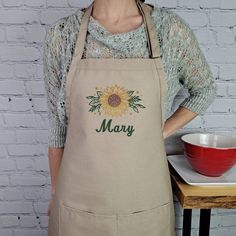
(177, 120)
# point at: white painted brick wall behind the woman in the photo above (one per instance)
(24, 172)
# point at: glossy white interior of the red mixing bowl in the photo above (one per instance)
(210, 140)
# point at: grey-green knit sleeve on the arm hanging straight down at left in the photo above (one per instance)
(52, 81)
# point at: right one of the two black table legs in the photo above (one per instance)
(204, 224)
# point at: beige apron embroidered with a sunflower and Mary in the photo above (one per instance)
(114, 178)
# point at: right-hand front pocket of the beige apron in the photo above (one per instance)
(151, 222)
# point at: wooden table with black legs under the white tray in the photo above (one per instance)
(205, 198)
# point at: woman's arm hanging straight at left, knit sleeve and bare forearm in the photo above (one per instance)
(52, 81)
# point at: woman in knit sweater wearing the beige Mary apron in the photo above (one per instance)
(112, 71)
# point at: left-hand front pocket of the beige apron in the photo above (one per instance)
(74, 222)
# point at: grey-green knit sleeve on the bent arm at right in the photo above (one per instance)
(193, 70)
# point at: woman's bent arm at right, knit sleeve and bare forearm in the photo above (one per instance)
(193, 73)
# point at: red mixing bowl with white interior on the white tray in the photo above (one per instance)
(209, 154)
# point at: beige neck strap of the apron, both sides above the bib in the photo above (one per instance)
(152, 37)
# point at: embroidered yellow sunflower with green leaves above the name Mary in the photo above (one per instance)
(114, 100)
